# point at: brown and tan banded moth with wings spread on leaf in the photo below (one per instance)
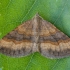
(36, 35)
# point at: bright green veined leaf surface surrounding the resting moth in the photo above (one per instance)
(14, 12)
